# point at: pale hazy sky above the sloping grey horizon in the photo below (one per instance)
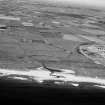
(90, 3)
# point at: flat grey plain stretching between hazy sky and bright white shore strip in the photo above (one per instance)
(32, 34)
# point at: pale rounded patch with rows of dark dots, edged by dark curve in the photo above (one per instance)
(94, 52)
